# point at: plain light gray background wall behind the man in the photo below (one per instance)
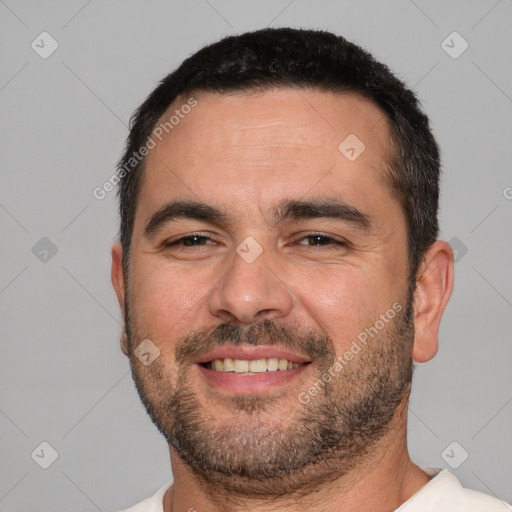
(64, 121)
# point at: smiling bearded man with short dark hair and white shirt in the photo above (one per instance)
(279, 274)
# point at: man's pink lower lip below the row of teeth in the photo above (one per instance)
(258, 383)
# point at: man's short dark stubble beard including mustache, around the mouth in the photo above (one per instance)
(256, 454)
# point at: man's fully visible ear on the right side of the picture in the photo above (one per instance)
(434, 286)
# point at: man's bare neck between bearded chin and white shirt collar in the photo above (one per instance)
(384, 480)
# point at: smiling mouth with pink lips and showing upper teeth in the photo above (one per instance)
(251, 369)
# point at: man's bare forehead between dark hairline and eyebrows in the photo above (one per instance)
(257, 146)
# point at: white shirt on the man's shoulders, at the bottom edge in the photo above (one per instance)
(442, 494)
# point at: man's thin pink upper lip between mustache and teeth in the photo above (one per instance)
(250, 352)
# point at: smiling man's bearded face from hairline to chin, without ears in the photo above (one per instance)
(274, 246)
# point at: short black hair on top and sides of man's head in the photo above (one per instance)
(309, 59)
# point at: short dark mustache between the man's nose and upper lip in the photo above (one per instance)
(265, 332)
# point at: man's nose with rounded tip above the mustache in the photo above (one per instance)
(248, 292)
